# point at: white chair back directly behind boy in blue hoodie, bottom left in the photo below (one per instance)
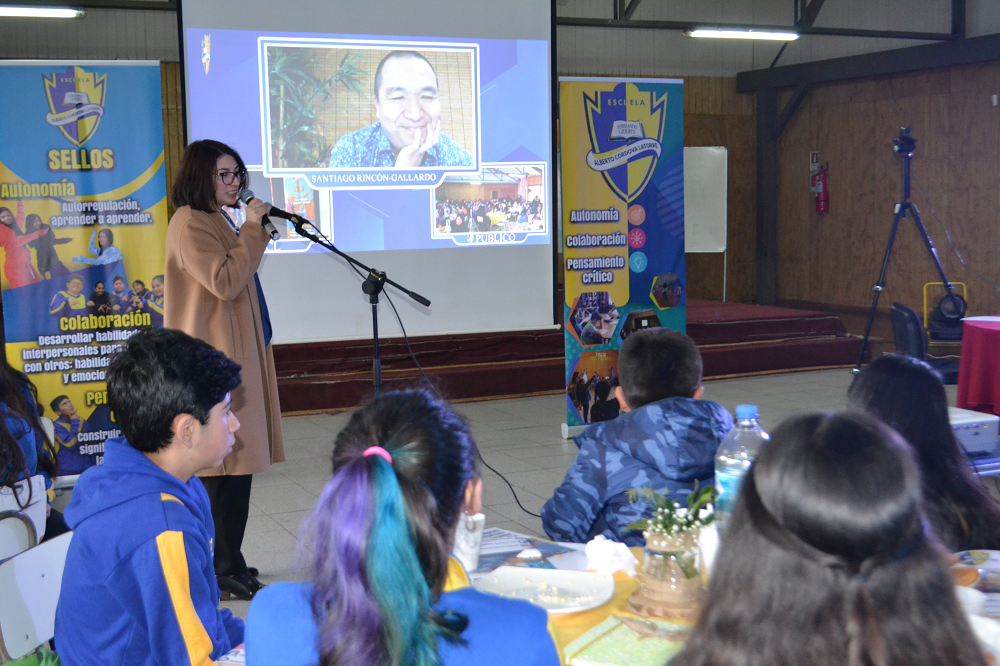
(29, 586)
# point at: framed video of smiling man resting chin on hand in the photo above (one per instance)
(371, 105)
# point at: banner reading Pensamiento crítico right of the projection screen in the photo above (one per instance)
(622, 157)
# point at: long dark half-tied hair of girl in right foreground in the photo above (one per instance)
(826, 560)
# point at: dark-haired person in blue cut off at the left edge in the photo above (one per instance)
(25, 449)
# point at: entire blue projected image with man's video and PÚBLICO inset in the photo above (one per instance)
(367, 134)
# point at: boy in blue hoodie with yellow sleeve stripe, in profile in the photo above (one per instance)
(139, 585)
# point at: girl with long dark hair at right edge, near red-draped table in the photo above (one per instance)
(908, 395)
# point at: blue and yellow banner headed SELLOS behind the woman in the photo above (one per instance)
(83, 219)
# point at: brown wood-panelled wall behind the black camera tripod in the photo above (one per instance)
(834, 258)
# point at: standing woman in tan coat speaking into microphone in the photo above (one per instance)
(212, 293)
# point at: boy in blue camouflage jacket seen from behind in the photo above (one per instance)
(666, 439)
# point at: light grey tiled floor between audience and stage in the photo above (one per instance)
(519, 438)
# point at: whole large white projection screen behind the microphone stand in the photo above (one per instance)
(416, 136)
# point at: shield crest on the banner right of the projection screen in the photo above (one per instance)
(626, 130)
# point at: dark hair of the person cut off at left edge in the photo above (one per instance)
(13, 387)
